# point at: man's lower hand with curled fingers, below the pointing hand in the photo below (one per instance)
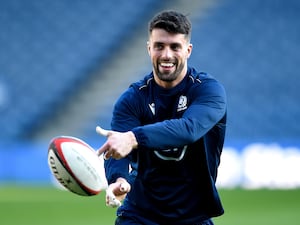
(116, 192)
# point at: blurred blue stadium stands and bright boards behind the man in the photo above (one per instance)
(64, 63)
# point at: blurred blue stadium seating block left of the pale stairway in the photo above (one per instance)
(49, 48)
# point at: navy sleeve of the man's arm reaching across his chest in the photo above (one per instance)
(205, 111)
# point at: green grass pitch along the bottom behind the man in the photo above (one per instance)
(46, 205)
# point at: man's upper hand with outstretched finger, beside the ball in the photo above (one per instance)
(118, 144)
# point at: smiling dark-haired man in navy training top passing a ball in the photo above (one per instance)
(170, 128)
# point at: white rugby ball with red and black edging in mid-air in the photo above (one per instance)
(76, 166)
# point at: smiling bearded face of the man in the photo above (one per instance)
(169, 54)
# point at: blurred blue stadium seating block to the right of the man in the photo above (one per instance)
(252, 47)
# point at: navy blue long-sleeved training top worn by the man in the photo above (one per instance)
(180, 134)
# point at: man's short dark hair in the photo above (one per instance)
(172, 22)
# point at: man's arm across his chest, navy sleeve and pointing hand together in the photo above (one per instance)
(205, 111)
